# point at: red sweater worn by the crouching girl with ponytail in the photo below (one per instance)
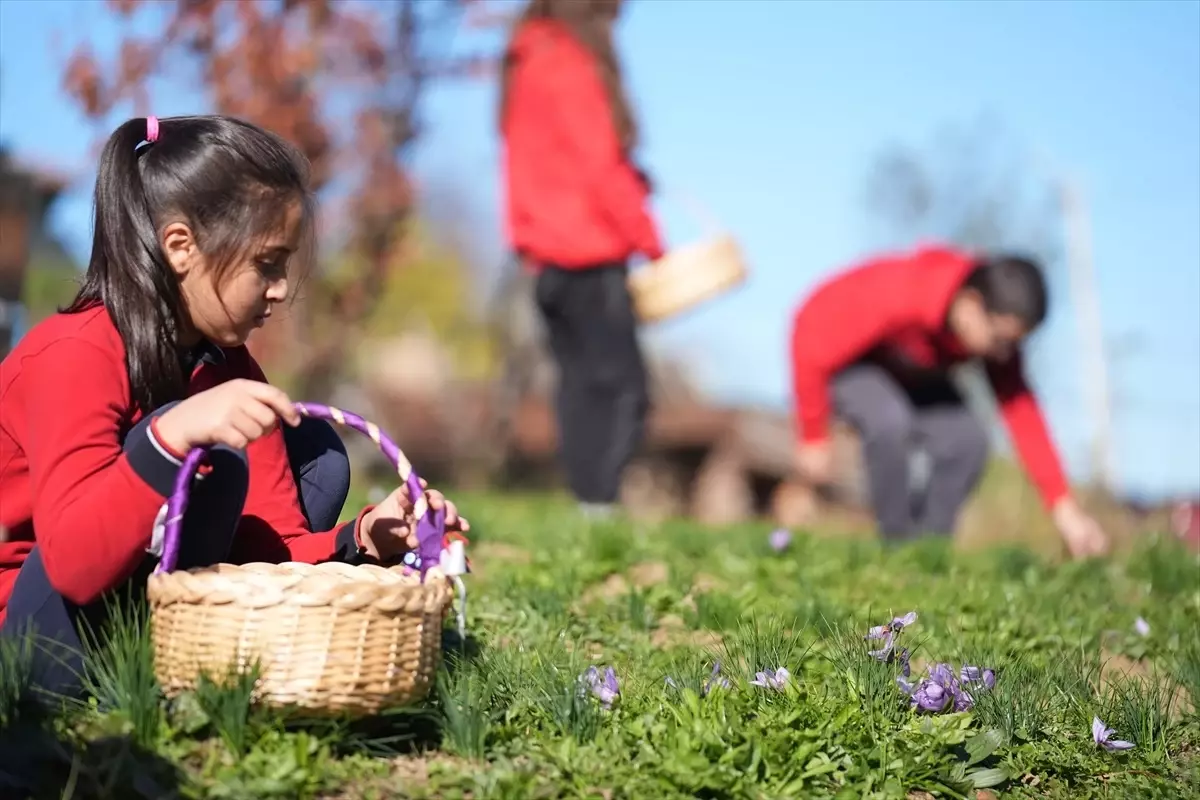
(68, 486)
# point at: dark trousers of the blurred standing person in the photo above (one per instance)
(603, 396)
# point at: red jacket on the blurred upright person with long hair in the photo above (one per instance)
(573, 197)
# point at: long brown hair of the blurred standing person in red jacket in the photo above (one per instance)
(591, 23)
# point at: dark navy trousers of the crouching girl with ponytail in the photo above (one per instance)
(322, 473)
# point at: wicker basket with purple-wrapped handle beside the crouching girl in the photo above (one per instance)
(329, 637)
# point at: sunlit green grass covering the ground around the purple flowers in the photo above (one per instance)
(553, 597)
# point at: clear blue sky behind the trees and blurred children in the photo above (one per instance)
(770, 113)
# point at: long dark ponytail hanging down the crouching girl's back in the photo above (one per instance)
(128, 273)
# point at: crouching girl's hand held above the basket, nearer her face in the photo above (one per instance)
(235, 413)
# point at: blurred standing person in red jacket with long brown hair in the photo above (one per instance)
(577, 214)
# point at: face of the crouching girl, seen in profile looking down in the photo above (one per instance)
(226, 311)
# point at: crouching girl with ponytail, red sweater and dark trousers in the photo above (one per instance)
(197, 224)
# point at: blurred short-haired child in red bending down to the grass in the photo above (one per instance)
(875, 345)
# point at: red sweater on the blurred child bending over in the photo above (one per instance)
(897, 308)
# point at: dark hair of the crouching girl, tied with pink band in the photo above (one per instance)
(230, 182)
